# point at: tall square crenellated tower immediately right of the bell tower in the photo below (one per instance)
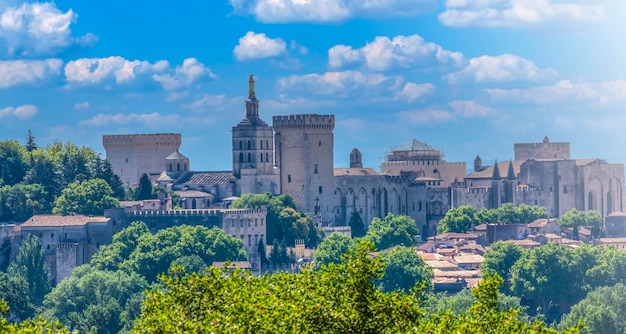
(304, 153)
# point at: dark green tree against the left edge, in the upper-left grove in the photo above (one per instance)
(13, 167)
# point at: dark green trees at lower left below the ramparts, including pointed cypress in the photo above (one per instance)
(105, 295)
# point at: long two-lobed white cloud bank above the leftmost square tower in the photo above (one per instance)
(115, 69)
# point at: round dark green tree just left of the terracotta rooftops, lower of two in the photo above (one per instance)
(403, 270)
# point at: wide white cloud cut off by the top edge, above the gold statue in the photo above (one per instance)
(283, 11)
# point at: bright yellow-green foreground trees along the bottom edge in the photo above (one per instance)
(336, 298)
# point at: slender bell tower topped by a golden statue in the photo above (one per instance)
(253, 151)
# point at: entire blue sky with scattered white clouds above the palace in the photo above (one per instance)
(466, 76)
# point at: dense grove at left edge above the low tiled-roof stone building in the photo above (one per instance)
(32, 179)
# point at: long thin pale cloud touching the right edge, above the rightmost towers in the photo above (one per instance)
(566, 91)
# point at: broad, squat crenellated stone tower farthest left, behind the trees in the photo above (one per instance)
(132, 155)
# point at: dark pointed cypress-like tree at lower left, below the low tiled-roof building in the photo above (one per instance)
(31, 265)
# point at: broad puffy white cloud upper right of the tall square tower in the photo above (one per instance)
(400, 52)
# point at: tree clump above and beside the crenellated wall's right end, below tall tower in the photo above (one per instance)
(284, 220)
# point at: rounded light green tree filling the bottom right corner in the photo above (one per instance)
(602, 311)
